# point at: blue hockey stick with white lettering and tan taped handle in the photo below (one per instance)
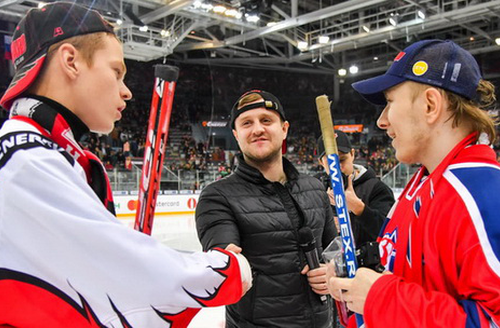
(348, 245)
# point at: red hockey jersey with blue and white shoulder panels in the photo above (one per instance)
(442, 242)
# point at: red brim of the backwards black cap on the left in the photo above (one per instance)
(23, 78)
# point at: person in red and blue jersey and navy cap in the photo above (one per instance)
(440, 244)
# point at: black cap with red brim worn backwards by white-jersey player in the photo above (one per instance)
(37, 31)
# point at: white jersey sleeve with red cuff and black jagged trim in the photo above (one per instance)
(55, 230)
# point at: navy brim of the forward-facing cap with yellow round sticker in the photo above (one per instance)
(373, 89)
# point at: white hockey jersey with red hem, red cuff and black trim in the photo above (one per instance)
(66, 261)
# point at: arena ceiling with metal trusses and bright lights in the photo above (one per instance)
(316, 36)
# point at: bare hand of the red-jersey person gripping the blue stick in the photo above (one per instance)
(353, 291)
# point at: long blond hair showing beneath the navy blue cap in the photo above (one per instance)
(471, 112)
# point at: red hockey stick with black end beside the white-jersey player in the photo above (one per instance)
(156, 140)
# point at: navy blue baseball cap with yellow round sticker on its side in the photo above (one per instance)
(439, 63)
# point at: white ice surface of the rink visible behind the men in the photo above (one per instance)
(179, 232)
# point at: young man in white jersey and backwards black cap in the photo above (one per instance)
(65, 260)
